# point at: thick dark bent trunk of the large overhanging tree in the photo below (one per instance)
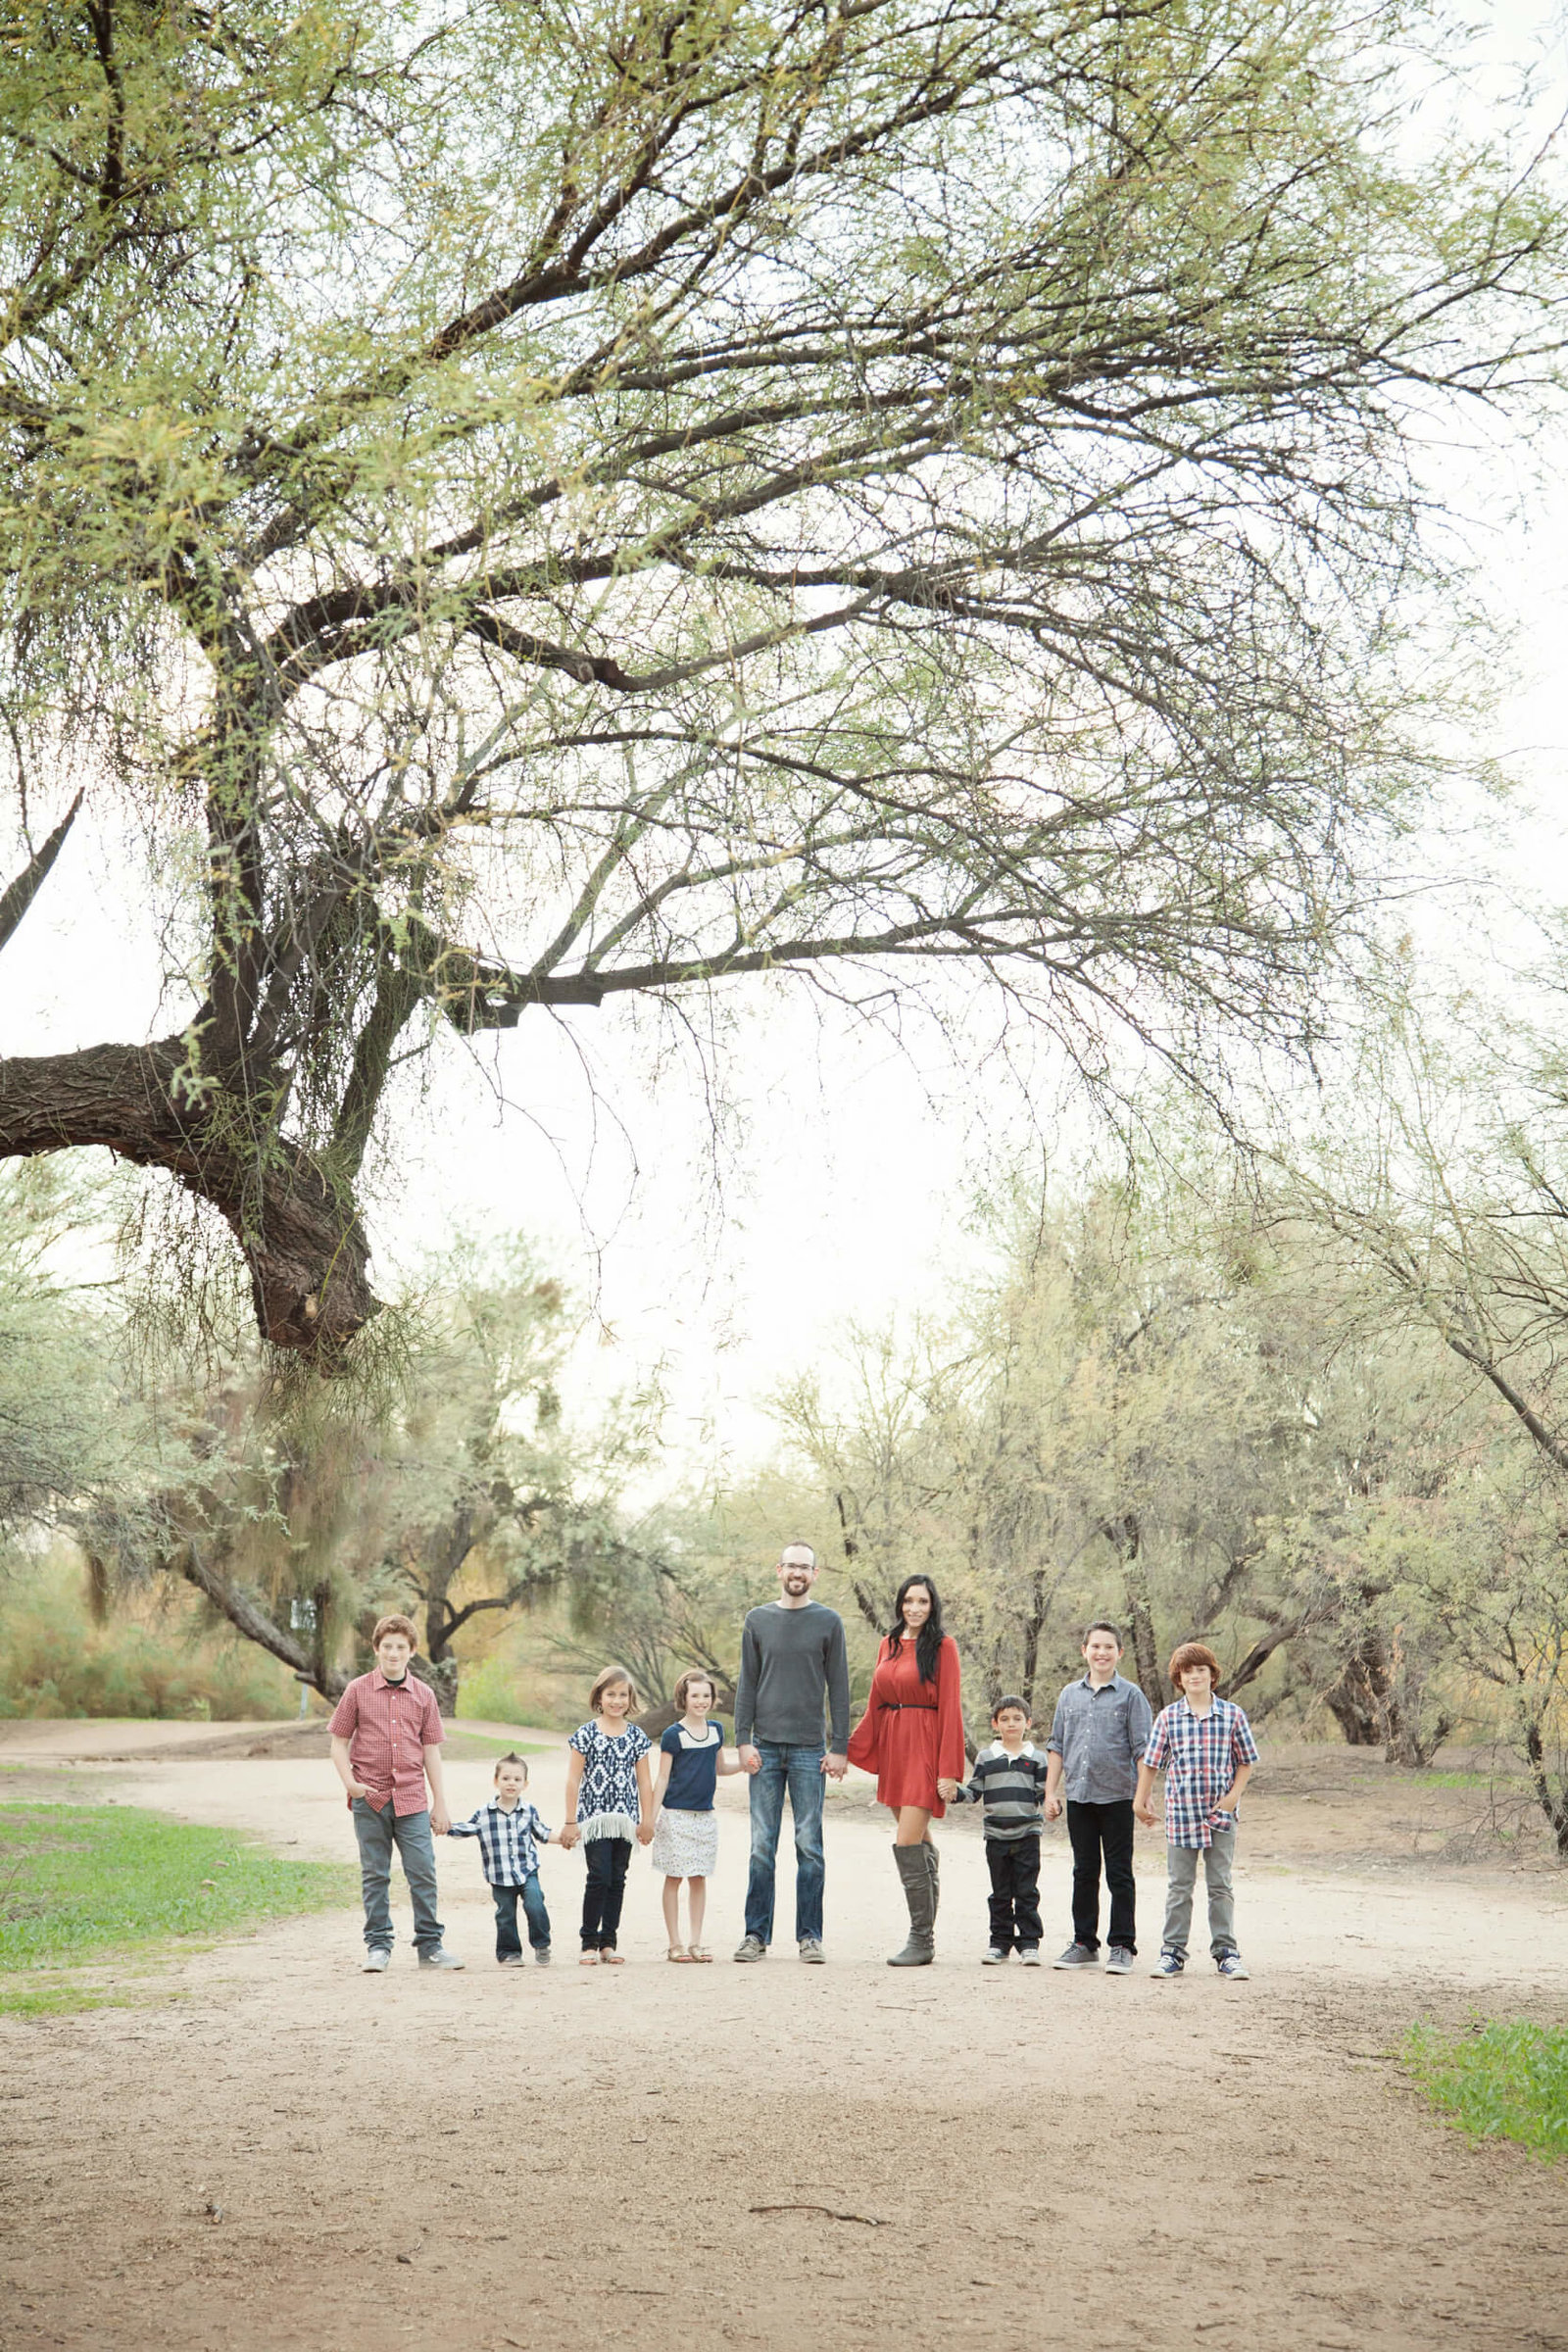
(302, 1238)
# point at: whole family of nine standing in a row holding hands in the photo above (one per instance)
(1099, 1768)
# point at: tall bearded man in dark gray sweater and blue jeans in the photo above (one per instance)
(791, 1662)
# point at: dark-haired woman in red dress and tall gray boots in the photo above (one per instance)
(913, 1737)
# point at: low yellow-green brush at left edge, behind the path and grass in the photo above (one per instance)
(156, 1662)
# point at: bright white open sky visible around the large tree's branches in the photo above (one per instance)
(845, 1163)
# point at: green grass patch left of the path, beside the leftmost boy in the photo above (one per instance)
(88, 1885)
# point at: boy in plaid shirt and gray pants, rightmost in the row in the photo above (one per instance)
(1207, 1751)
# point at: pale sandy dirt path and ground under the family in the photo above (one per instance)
(297, 2156)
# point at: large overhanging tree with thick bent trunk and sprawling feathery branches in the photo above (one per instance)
(516, 502)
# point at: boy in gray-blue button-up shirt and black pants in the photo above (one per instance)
(1097, 1744)
